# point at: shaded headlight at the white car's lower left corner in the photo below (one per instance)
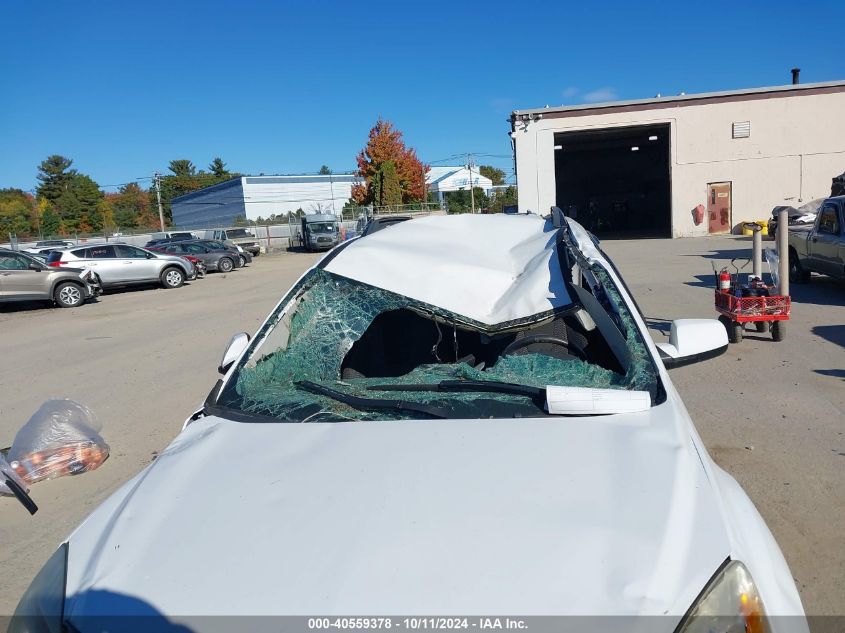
(41, 608)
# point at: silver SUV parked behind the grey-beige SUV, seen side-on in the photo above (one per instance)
(119, 264)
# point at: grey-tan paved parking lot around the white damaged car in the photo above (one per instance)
(771, 414)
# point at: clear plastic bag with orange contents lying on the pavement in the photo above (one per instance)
(59, 439)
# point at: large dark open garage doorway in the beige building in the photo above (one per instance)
(616, 181)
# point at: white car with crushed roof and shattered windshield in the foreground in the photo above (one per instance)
(457, 415)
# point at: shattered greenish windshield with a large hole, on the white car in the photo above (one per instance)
(360, 341)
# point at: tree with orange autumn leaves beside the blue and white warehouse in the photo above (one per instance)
(385, 152)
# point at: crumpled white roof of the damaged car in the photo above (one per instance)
(490, 268)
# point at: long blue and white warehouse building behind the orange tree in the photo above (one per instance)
(251, 197)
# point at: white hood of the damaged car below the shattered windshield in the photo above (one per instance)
(609, 515)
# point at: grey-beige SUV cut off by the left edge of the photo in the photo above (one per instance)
(23, 278)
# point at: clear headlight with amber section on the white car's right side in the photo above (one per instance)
(729, 604)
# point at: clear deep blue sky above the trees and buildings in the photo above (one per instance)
(281, 87)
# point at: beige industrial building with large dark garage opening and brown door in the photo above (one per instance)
(684, 165)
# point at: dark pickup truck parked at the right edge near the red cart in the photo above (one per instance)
(820, 248)
